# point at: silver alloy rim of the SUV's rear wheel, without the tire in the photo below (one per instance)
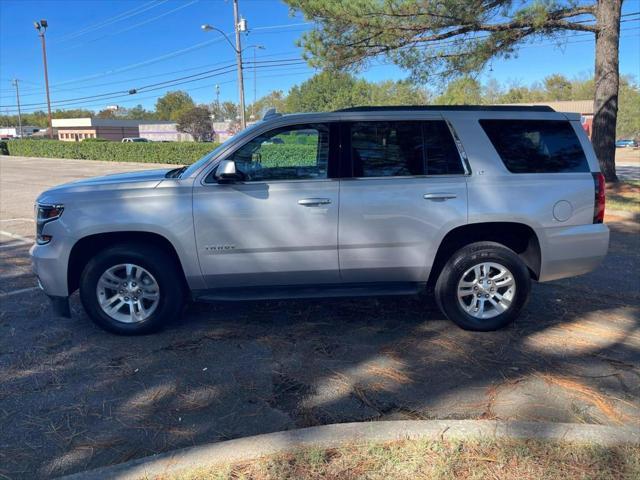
(486, 290)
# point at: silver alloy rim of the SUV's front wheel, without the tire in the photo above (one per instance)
(128, 293)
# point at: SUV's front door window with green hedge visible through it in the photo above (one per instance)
(289, 153)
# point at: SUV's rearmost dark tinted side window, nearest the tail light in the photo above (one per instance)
(536, 146)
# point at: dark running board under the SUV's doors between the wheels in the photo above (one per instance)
(308, 291)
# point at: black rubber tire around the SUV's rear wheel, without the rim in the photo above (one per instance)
(446, 290)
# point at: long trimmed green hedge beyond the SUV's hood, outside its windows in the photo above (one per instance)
(181, 153)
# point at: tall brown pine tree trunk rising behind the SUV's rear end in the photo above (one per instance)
(607, 81)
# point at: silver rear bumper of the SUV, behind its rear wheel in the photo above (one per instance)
(571, 251)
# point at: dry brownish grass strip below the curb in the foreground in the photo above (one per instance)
(468, 460)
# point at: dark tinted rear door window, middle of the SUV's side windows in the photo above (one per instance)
(396, 149)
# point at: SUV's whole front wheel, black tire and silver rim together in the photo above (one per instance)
(132, 289)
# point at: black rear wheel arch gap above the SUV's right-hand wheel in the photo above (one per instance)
(519, 237)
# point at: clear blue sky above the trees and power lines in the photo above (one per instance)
(108, 47)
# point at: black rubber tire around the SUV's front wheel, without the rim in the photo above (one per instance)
(153, 259)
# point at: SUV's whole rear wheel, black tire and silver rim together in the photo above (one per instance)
(483, 286)
